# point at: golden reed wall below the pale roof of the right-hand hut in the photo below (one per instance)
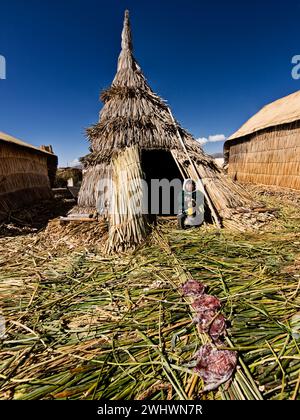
(270, 157)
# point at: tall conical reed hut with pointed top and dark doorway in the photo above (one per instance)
(136, 139)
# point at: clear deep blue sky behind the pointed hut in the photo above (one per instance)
(215, 62)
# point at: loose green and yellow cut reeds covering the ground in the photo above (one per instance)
(81, 325)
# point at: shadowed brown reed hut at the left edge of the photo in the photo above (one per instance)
(26, 173)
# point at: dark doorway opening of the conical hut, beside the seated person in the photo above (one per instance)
(160, 165)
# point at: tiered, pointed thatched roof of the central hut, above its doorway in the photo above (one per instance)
(132, 114)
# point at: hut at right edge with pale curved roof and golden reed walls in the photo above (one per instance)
(266, 149)
